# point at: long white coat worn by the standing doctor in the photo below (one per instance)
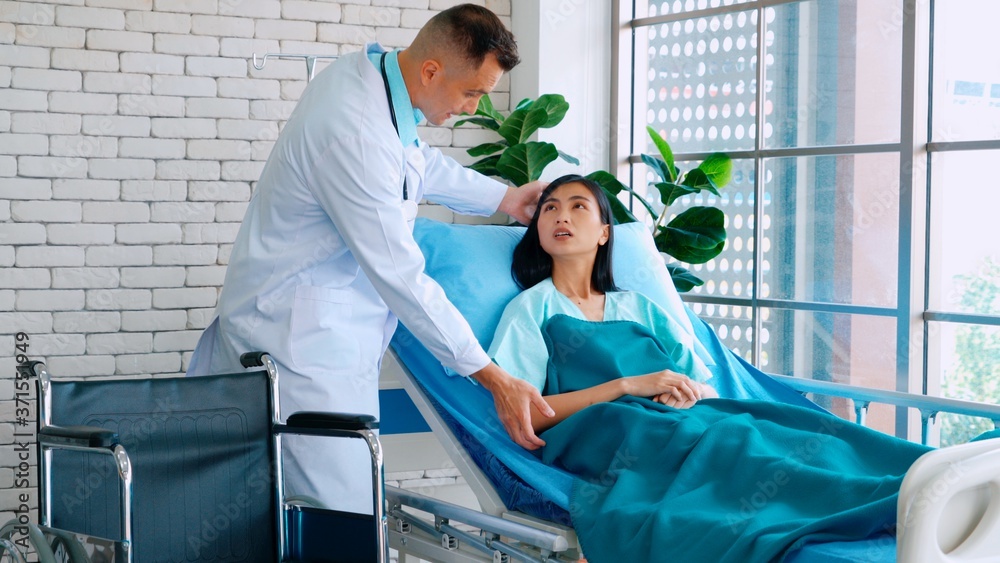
(325, 262)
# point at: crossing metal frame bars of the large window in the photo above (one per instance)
(914, 333)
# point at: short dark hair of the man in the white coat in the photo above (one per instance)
(476, 32)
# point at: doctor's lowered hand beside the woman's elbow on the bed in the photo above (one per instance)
(514, 398)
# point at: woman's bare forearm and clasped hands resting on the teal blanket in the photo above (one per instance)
(665, 386)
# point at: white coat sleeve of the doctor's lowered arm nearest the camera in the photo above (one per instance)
(358, 183)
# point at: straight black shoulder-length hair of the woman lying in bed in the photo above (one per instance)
(532, 264)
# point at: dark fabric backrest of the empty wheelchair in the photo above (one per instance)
(201, 453)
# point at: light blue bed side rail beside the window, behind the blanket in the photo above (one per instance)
(928, 407)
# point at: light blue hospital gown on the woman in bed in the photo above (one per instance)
(519, 347)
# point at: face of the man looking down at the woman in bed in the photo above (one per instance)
(456, 88)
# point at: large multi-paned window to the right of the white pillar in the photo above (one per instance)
(860, 247)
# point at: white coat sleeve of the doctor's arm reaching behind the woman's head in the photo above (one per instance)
(459, 188)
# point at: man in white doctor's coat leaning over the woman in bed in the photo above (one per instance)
(325, 259)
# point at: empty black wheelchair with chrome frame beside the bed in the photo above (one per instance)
(184, 469)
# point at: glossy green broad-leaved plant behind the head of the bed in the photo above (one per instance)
(695, 236)
